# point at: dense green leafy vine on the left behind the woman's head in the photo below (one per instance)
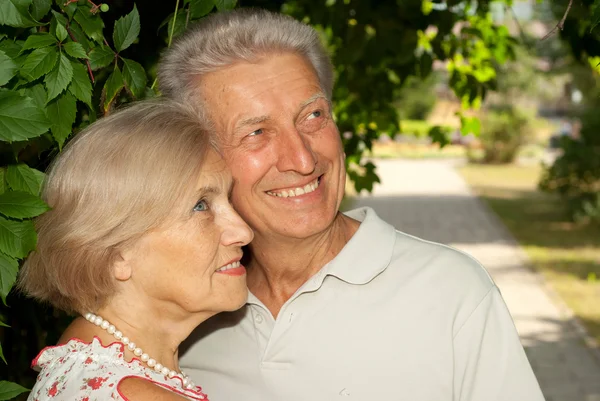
(64, 64)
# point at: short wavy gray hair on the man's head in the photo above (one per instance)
(225, 38)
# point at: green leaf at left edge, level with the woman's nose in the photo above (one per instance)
(17, 238)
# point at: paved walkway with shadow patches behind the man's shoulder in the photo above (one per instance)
(430, 200)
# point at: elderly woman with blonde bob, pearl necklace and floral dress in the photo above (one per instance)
(141, 242)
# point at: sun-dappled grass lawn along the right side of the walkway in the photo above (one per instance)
(567, 254)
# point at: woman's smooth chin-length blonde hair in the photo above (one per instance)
(116, 180)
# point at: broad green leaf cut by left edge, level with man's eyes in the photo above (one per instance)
(20, 118)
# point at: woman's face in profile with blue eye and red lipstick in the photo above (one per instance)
(194, 263)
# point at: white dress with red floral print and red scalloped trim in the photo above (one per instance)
(79, 371)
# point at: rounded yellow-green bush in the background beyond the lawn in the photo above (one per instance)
(503, 131)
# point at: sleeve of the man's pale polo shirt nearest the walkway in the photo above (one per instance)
(489, 361)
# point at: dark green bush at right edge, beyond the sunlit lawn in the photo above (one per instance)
(575, 174)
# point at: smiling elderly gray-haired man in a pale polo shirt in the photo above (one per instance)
(341, 306)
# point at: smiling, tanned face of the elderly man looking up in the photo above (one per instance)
(276, 133)
